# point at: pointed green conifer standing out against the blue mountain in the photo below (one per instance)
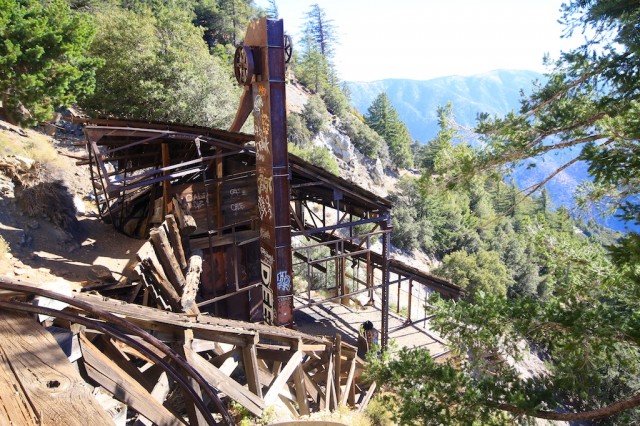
(383, 118)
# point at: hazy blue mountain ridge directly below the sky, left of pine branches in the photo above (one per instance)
(496, 92)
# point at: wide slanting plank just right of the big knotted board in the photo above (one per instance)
(124, 389)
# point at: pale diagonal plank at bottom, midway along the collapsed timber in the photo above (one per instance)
(220, 381)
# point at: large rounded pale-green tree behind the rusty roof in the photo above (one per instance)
(158, 68)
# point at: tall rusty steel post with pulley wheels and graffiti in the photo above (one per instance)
(260, 67)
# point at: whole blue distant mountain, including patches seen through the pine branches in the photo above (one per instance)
(496, 92)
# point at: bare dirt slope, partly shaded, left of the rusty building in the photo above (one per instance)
(41, 251)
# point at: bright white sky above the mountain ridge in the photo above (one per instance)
(424, 39)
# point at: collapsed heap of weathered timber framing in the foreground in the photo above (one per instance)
(141, 354)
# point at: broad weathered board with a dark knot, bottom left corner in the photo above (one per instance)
(44, 376)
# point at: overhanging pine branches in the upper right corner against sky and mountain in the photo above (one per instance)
(590, 102)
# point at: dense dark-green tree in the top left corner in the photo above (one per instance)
(43, 58)
